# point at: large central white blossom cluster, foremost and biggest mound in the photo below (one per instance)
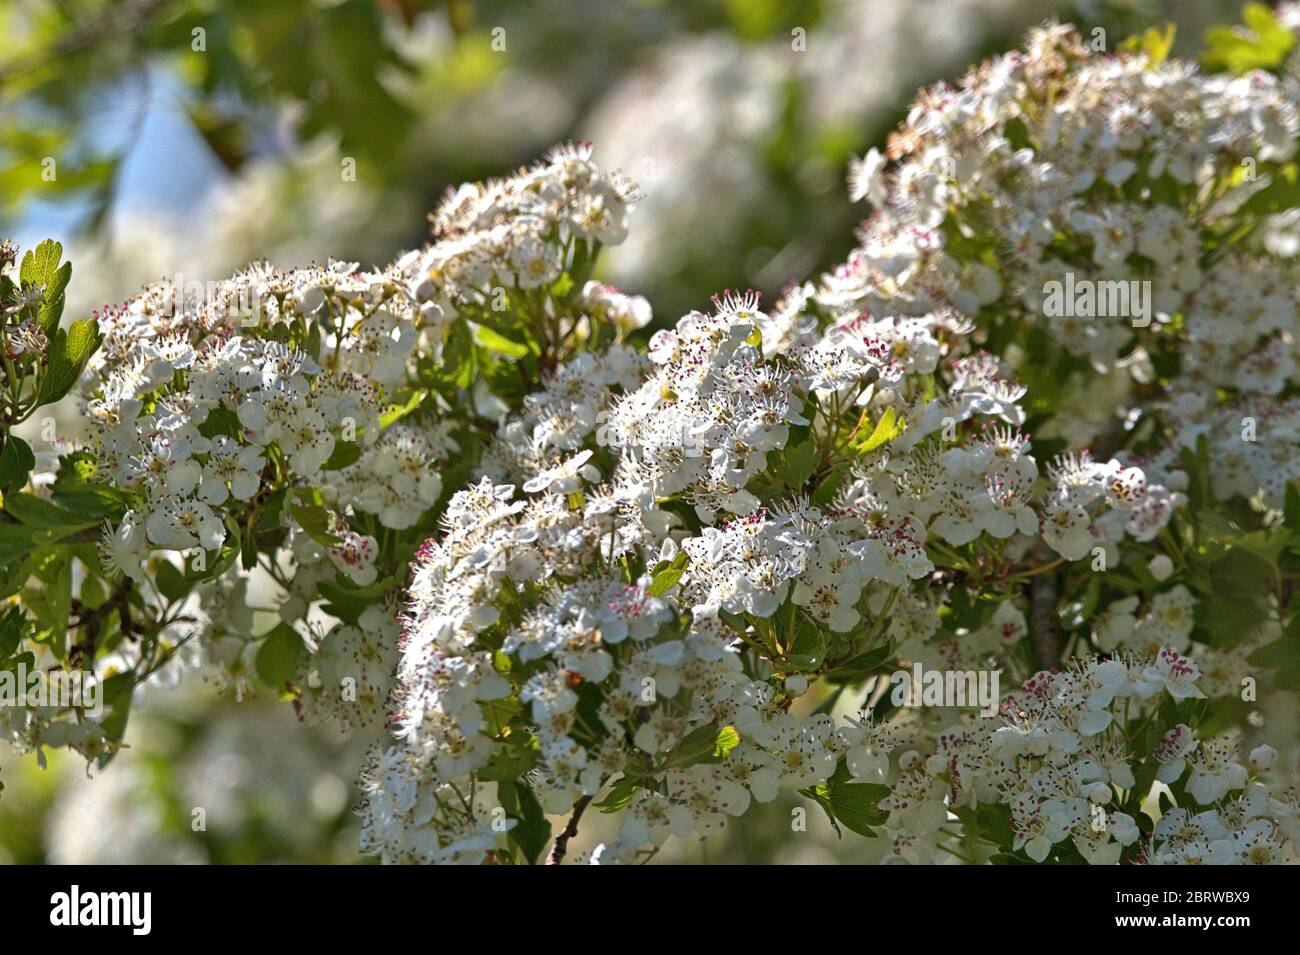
(534, 565)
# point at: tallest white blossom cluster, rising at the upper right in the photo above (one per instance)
(1102, 181)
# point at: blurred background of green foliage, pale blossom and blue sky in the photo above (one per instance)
(190, 137)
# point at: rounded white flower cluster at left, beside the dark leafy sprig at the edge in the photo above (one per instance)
(198, 407)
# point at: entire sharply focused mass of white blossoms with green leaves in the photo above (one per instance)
(543, 570)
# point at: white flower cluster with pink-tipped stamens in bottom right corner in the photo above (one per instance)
(1063, 766)
